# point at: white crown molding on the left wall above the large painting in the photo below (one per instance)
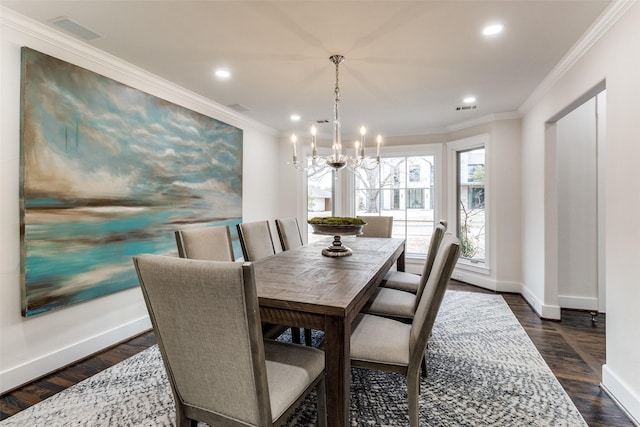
(123, 71)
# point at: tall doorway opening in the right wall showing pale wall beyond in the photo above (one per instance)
(579, 199)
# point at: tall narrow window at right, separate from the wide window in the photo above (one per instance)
(469, 183)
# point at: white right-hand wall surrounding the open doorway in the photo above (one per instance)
(613, 58)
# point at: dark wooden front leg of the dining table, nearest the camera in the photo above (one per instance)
(337, 338)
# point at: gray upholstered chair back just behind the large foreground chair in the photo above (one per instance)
(205, 243)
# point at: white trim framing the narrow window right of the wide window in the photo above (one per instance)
(453, 147)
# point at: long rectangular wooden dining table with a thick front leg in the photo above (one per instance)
(303, 288)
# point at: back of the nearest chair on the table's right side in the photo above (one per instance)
(425, 316)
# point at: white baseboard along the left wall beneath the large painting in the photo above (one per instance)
(33, 369)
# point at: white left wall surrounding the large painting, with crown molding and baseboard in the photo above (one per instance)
(31, 347)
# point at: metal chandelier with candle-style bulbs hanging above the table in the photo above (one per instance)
(338, 159)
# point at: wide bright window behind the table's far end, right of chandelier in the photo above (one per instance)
(402, 187)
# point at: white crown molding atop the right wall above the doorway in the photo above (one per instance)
(596, 31)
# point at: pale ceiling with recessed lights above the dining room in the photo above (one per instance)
(408, 64)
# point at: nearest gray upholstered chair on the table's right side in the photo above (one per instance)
(389, 345)
